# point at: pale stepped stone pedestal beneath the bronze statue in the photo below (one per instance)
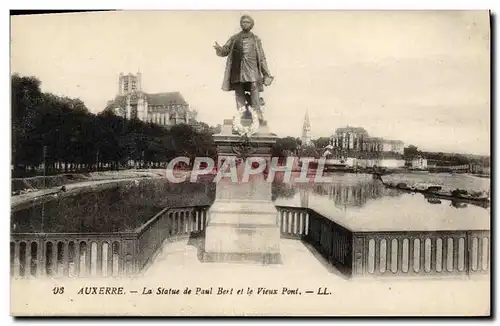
(242, 222)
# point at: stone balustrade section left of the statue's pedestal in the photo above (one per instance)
(106, 254)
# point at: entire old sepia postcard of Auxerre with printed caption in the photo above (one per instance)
(261, 163)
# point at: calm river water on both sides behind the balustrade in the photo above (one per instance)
(356, 201)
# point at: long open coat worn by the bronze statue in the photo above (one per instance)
(227, 51)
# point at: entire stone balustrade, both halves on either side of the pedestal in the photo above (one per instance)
(404, 253)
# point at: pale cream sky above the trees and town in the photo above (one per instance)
(422, 77)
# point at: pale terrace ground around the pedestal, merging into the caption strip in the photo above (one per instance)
(177, 267)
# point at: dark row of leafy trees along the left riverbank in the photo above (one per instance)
(63, 134)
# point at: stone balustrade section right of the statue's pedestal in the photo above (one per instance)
(405, 253)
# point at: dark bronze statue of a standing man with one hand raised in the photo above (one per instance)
(246, 67)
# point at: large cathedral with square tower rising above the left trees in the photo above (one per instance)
(166, 109)
